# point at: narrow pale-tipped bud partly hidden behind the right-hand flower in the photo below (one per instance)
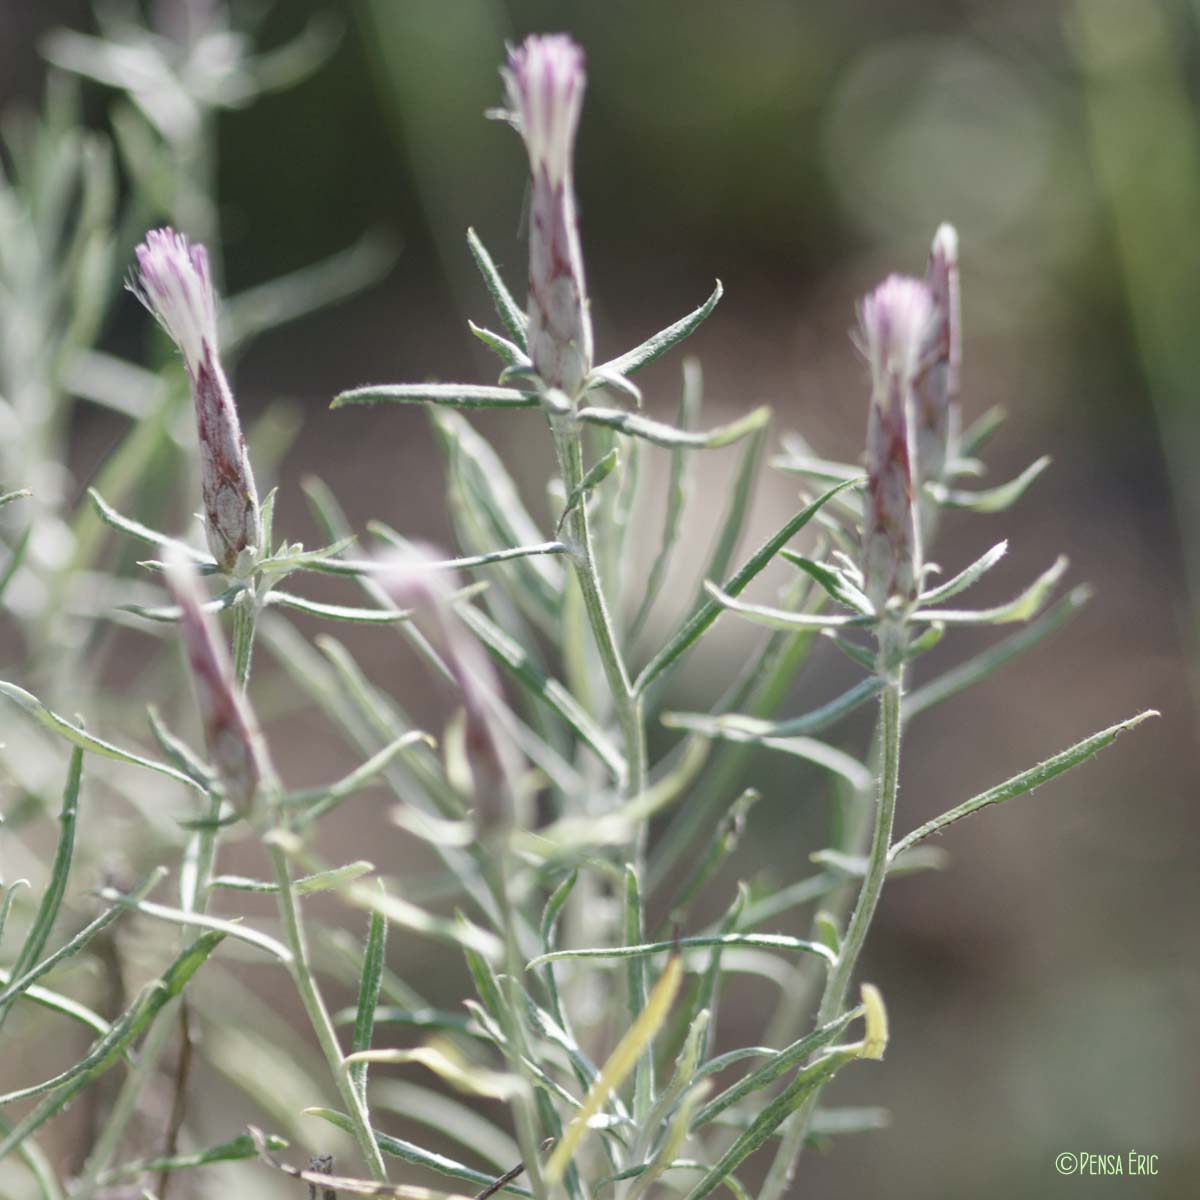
(938, 387)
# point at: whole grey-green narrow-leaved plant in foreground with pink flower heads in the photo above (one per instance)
(562, 837)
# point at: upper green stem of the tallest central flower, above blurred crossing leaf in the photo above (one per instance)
(627, 704)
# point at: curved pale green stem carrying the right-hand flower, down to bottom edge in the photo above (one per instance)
(838, 983)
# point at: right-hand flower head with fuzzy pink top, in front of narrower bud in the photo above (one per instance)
(897, 323)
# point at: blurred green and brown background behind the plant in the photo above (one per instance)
(1043, 991)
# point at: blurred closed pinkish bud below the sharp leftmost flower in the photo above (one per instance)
(231, 731)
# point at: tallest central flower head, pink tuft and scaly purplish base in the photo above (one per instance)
(545, 81)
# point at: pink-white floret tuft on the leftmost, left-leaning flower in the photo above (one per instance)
(176, 285)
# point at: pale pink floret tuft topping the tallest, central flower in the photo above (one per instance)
(545, 82)
